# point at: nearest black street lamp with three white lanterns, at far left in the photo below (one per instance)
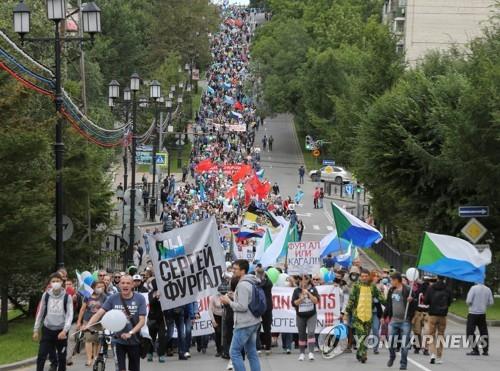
(91, 23)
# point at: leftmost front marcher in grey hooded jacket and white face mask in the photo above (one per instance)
(54, 317)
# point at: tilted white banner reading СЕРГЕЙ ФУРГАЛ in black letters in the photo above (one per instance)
(188, 263)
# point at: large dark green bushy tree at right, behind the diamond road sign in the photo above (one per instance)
(431, 144)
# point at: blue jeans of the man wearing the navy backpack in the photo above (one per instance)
(245, 339)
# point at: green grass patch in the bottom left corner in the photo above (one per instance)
(17, 345)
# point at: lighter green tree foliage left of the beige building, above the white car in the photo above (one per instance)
(325, 61)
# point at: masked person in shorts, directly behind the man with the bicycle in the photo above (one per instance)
(90, 306)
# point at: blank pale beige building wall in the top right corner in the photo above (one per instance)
(438, 24)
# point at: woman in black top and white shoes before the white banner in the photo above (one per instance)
(304, 299)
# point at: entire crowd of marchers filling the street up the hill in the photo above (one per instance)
(225, 180)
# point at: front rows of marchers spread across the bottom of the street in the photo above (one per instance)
(375, 305)
